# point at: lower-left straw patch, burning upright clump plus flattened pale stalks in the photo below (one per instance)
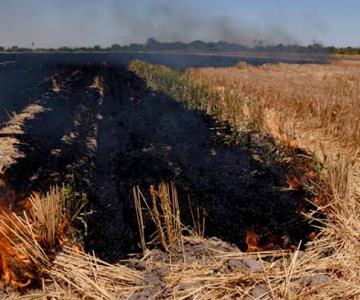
(34, 251)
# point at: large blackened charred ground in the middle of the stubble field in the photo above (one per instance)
(100, 128)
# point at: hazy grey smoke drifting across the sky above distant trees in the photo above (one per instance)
(180, 21)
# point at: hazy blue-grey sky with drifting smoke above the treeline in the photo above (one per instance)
(55, 23)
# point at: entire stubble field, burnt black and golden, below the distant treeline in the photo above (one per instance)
(206, 183)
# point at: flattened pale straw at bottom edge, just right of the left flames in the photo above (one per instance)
(76, 275)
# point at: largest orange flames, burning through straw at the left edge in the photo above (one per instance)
(24, 251)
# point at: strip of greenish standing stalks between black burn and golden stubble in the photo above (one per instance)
(195, 95)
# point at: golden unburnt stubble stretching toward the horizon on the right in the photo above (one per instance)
(306, 103)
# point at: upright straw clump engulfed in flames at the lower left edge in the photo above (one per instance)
(27, 241)
